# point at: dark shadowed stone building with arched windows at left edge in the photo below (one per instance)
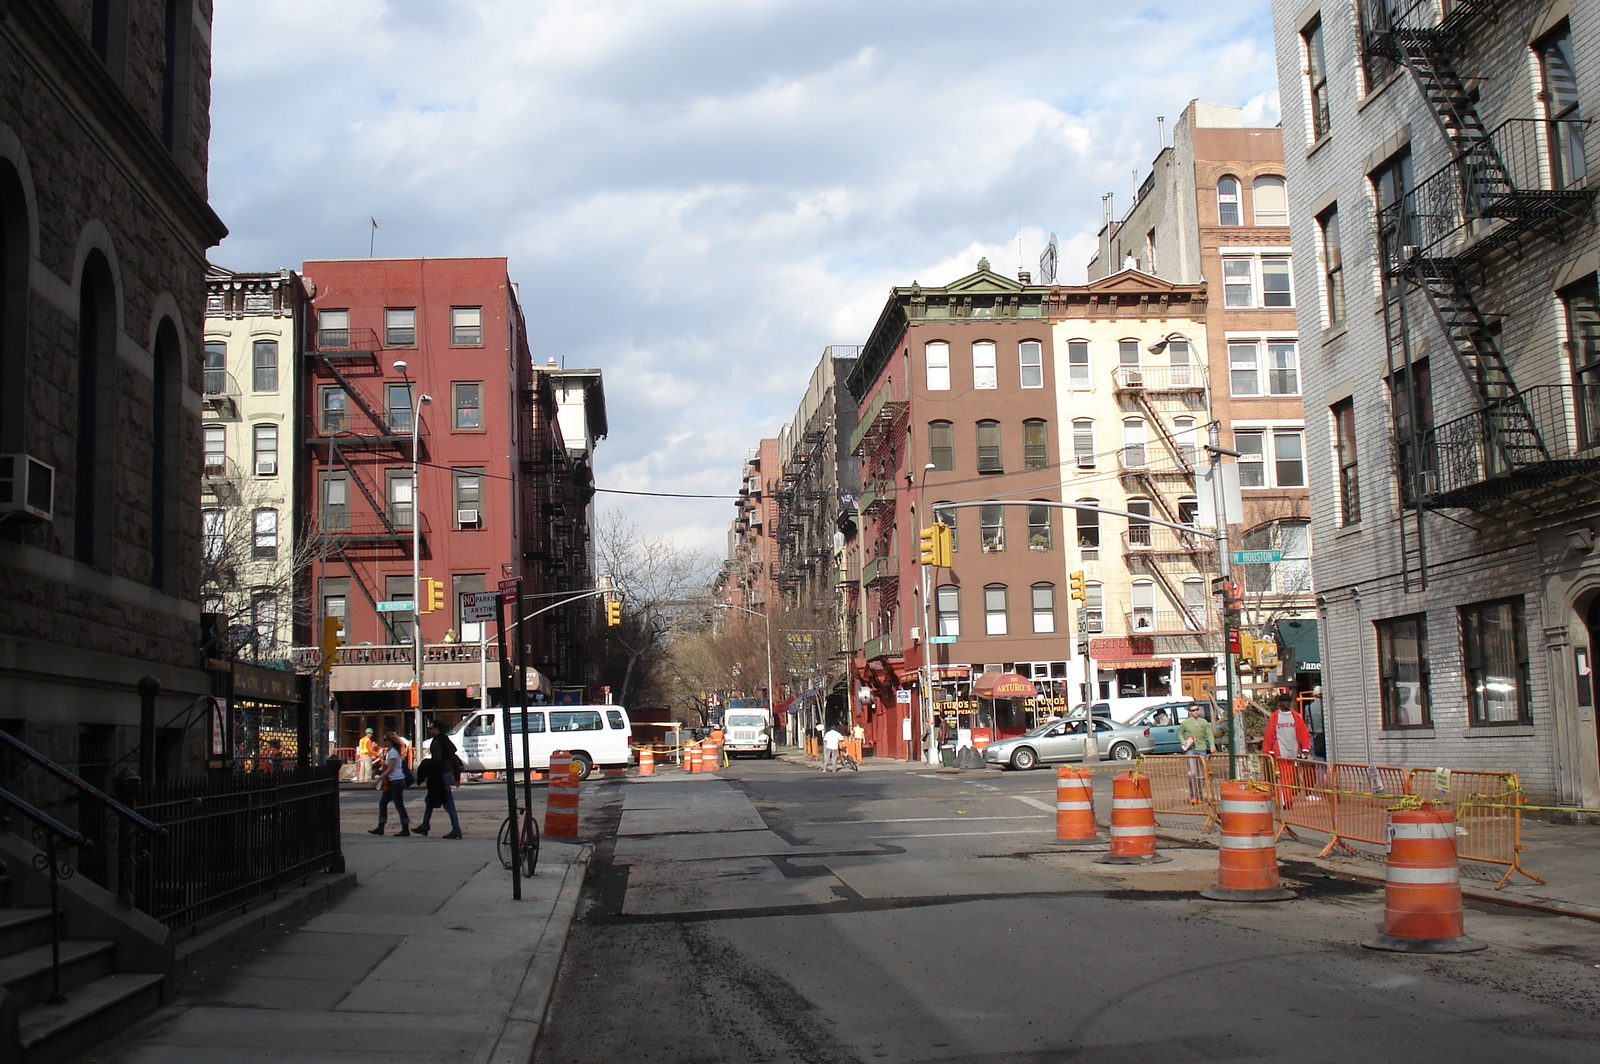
(103, 236)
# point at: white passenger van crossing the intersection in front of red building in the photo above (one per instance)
(596, 735)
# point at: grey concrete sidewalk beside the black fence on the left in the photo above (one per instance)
(426, 959)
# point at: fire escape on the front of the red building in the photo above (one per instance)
(353, 444)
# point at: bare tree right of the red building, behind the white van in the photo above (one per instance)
(666, 593)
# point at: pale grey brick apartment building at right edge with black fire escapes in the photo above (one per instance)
(1446, 223)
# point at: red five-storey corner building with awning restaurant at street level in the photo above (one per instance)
(487, 495)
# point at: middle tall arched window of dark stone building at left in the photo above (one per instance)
(97, 415)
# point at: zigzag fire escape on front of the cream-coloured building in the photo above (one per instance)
(1162, 470)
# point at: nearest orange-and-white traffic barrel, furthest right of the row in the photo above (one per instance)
(1423, 886)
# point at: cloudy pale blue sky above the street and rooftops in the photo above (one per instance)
(700, 196)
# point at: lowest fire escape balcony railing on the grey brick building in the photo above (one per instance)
(1470, 462)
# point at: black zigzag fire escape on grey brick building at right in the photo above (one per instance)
(1500, 188)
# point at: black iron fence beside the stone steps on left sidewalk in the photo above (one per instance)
(231, 839)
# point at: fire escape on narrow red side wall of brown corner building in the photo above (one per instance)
(876, 439)
